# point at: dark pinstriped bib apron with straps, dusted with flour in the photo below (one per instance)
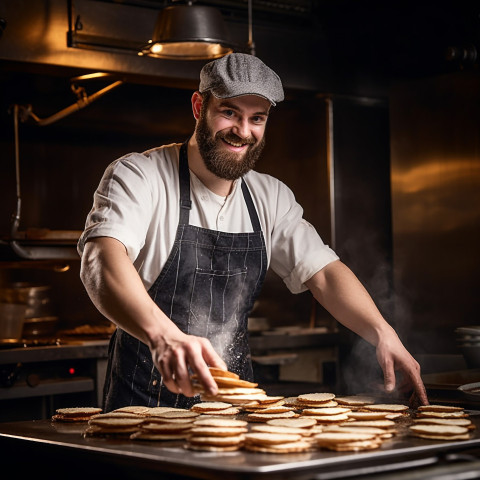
(207, 287)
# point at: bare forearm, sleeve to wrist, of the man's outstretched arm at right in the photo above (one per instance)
(341, 293)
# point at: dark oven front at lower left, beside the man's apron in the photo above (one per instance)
(40, 375)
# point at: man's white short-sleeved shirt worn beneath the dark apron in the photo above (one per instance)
(137, 203)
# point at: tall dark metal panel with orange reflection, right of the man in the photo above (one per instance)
(436, 207)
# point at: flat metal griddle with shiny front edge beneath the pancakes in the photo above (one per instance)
(60, 444)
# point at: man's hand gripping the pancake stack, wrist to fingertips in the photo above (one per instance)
(178, 358)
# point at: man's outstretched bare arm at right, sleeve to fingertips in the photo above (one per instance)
(337, 288)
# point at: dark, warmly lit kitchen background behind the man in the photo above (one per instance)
(404, 77)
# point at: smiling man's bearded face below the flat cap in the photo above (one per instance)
(230, 134)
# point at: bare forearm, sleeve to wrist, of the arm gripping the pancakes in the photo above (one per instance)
(117, 291)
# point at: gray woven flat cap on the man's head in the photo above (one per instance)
(241, 74)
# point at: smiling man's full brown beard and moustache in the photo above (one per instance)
(226, 165)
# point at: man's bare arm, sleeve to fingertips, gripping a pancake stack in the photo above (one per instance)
(115, 288)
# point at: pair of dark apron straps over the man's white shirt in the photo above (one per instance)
(186, 203)
